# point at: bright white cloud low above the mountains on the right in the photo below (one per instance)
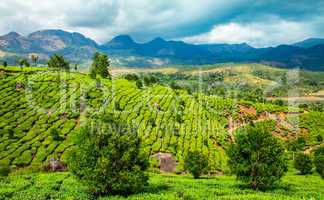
(256, 34)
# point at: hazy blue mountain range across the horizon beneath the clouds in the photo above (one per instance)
(124, 51)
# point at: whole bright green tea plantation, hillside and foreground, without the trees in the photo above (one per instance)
(41, 110)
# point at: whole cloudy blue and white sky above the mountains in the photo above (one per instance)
(258, 22)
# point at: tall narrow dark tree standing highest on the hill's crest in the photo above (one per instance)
(100, 66)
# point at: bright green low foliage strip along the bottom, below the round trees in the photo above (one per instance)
(167, 186)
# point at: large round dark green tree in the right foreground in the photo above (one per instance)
(257, 157)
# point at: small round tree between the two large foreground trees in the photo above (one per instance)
(196, 163)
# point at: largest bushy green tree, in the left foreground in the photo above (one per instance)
(107, 157)
